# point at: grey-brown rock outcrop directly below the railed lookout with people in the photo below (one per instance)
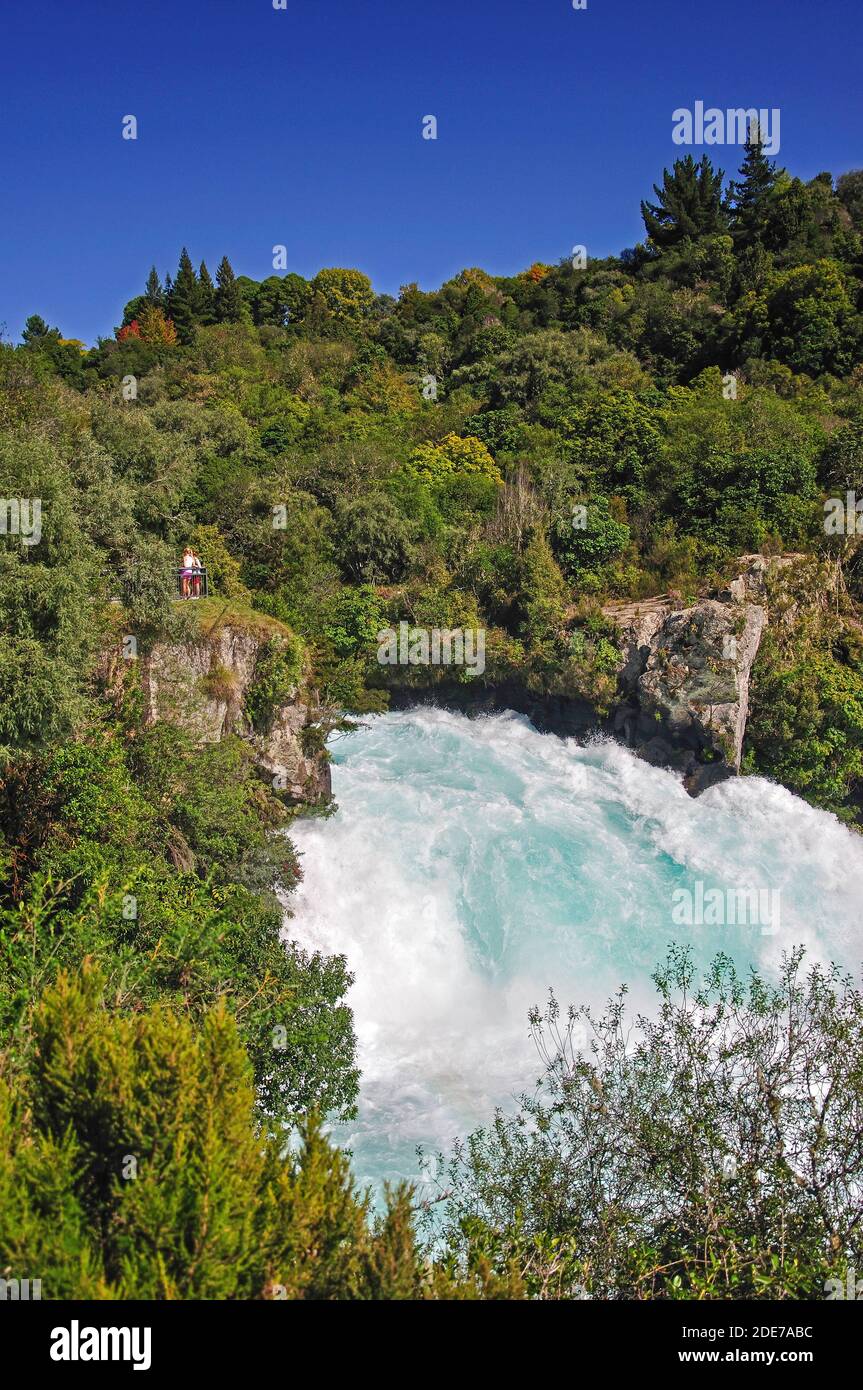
(201, 686)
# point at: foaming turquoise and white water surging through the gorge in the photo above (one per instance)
(476, 864)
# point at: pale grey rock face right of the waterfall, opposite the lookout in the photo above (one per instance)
(686, 683)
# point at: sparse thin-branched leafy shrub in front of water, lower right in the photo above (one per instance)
(709, 1150)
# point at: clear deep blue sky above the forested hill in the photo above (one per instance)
(304, 127)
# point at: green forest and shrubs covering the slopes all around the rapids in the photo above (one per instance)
(344, 461)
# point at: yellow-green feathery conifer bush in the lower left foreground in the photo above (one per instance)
(134, 1166)
